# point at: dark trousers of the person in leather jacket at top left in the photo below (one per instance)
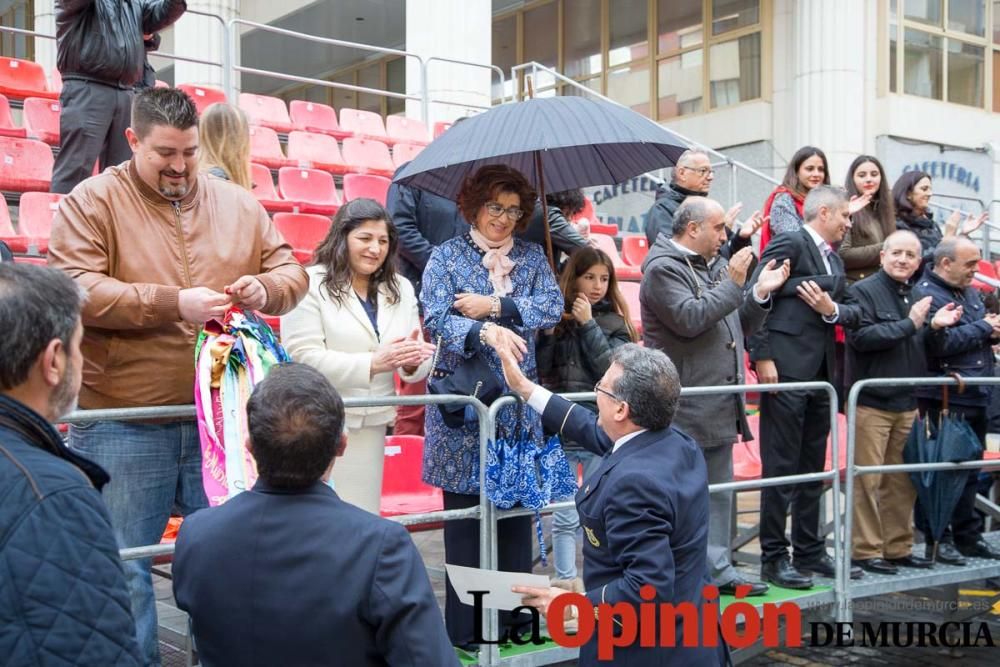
(91, 129)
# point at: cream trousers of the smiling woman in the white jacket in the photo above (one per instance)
(357, 475)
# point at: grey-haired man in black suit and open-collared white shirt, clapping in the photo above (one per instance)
(797, 345)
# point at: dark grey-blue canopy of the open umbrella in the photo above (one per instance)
(578, 142)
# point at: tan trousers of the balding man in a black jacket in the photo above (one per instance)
(883, 504)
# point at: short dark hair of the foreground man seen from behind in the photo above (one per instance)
(296, 418)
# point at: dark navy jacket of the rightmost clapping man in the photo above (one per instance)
(965, 348)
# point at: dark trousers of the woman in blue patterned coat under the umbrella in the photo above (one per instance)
(461, 547)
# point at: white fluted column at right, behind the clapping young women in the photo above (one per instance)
(830, 48)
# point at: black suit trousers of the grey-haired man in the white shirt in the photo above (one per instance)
(794, 426)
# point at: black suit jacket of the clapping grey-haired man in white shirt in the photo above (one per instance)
(795, 336)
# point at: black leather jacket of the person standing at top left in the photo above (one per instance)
(101, 40)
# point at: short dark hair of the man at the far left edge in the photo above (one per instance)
(37, 306)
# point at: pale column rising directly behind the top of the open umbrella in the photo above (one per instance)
(455, 29)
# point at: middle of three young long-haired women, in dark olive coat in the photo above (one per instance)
(872, 221)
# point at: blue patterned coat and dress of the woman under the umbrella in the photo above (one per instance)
(451, 456)
